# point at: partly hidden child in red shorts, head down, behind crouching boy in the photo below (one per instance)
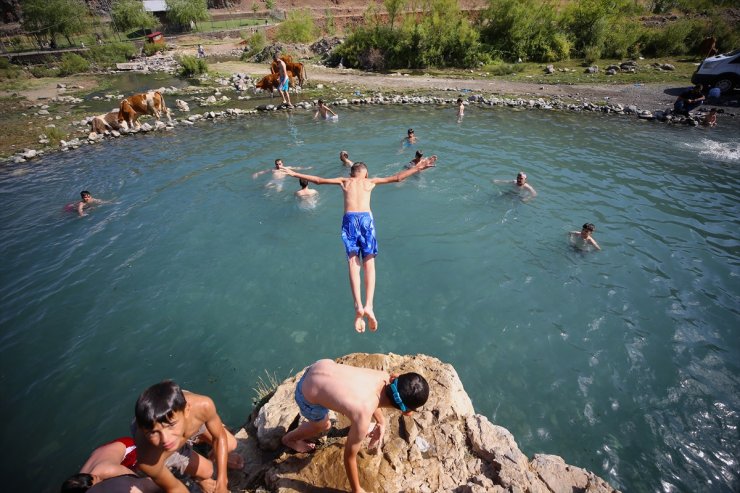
(116, 458)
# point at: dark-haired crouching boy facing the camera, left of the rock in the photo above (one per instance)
(169, 421)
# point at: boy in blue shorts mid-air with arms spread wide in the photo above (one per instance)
(358, 229)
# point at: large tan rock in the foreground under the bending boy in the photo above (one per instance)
(445, 447)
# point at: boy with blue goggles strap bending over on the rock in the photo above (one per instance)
(359, 394)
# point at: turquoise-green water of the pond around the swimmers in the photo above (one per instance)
(623, 361)
